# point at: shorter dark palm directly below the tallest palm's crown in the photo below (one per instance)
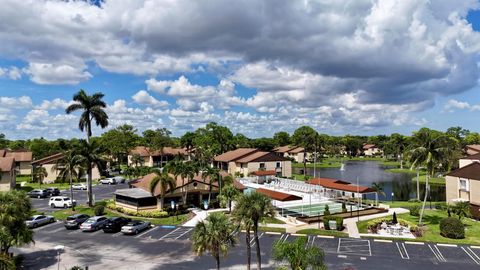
(91, 156)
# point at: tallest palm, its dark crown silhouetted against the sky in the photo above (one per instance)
(92, 108)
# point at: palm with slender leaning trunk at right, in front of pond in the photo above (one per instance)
(430, 148)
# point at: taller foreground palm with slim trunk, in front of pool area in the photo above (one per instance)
(253, 208)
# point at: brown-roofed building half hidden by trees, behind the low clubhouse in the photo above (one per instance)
(154, 158)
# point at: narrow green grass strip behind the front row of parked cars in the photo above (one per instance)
(172, 220)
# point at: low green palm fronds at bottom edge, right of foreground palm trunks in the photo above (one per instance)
(298, 254)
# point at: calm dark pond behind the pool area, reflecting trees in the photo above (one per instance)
(368, 172)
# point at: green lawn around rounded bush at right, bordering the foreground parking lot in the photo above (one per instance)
(432, 220)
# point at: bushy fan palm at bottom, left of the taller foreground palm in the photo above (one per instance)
(214, 235)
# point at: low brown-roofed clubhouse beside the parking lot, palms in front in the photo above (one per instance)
(140, 198)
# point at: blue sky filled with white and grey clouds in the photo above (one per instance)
(362, 67)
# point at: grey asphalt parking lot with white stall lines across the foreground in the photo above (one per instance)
(168, 247)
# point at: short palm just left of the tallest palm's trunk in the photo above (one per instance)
(69, 167)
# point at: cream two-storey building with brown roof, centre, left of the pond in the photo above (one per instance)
(246, 161)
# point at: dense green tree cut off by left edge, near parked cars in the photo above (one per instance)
(15, 208)
